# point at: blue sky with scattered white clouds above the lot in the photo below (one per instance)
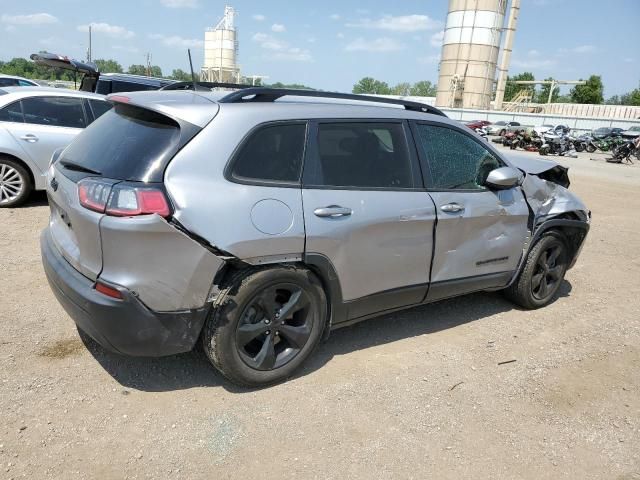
(330, 44)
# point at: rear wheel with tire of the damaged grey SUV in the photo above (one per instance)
(265, 324)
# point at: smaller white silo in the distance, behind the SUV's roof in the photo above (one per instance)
(221, 51)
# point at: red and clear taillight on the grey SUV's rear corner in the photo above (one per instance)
(122, 199)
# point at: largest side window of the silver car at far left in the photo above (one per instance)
(54, 111)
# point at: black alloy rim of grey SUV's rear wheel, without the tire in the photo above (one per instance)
(274, 326)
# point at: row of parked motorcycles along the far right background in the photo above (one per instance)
(562, 143)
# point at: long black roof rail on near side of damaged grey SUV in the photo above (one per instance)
(265, 94)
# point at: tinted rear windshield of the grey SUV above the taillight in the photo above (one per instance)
(129, 143)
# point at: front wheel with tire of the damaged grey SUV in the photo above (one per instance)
(543, 273)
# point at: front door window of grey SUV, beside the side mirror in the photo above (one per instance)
(455, 160)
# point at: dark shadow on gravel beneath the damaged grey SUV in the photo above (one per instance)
(192, 369)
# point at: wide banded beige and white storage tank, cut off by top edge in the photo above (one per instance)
(470, 50)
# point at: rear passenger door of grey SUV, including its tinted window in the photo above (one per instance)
(366, 211)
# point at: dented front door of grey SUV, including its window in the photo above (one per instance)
(480, 233)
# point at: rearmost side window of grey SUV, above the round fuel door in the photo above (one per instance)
(273, 153)
